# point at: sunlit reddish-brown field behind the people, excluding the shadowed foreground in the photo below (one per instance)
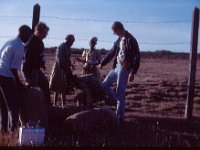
(159, 87)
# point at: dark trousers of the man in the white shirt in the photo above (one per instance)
(9, 103)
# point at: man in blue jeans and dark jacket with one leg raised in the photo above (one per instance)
(126, 54)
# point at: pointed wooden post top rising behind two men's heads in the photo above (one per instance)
(36, 15)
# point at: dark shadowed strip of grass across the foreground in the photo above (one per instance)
(140, 131)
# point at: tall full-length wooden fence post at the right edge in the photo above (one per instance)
(192, 66)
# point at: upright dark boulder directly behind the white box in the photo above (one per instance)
(33, 107)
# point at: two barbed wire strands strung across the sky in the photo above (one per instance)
(56, 18)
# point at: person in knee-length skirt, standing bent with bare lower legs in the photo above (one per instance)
(61, 75)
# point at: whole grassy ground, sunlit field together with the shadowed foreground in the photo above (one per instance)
(155, 105)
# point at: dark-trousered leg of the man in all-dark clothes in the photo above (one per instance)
(44, 85)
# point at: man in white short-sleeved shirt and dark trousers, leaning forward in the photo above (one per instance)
(11, 56)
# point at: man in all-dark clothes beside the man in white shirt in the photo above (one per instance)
(34, 61)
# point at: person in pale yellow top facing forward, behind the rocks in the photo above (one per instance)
(91, 59)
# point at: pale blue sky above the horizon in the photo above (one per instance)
(156, 24)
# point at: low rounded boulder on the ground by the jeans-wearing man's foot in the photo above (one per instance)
(97, 120)
